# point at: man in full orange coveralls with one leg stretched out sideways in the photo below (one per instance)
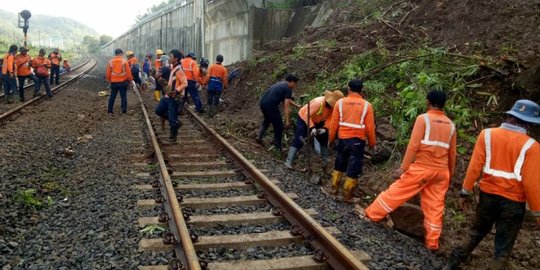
(427, 168)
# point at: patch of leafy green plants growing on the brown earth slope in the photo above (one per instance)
(396, 83)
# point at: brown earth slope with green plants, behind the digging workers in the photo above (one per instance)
(484, 54)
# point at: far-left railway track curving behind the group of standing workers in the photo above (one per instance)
(9, 110)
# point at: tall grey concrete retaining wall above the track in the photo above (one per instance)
(233, 28)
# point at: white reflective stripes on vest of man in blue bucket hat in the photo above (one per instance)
(516, 174)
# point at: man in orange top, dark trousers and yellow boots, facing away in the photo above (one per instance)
(353, 122)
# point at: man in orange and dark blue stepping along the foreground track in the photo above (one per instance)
(172, 102)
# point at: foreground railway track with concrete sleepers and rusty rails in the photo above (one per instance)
(207, 191)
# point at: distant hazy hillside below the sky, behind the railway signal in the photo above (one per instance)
(51, 30)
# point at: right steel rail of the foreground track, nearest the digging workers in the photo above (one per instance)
(333, 252)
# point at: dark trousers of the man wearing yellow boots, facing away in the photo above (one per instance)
(350, 156)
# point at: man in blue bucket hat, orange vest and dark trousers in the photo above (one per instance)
(505, 159)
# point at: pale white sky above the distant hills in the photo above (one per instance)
(109, 17)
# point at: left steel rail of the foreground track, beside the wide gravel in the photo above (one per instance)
(186, 253)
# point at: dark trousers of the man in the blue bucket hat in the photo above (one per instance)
(505, 214)
